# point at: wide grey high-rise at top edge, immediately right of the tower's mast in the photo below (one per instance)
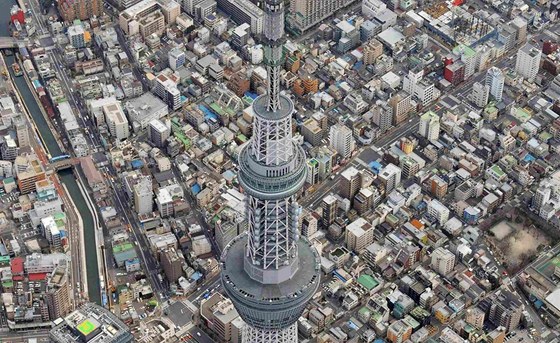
(304, 14)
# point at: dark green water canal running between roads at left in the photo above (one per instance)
(67, 176)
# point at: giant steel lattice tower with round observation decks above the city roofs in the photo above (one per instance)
(270, 273)
